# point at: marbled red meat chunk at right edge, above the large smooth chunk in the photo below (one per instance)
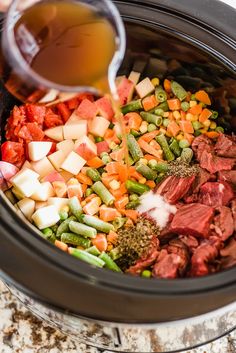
(216, 194)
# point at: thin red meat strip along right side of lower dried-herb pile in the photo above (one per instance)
(146, 260)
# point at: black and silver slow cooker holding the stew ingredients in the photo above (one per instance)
(108, 310)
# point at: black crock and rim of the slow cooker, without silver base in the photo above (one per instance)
(202, 35)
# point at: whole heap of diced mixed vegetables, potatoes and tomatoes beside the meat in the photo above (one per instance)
(63, 165)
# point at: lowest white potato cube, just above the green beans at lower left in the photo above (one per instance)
(46, 217)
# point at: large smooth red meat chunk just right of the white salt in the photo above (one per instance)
(193, 219)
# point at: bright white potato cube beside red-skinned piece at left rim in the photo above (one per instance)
(26, 182)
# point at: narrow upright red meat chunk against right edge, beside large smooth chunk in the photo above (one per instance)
(223, 223)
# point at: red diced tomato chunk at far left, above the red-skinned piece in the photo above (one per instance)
(13, 152)
